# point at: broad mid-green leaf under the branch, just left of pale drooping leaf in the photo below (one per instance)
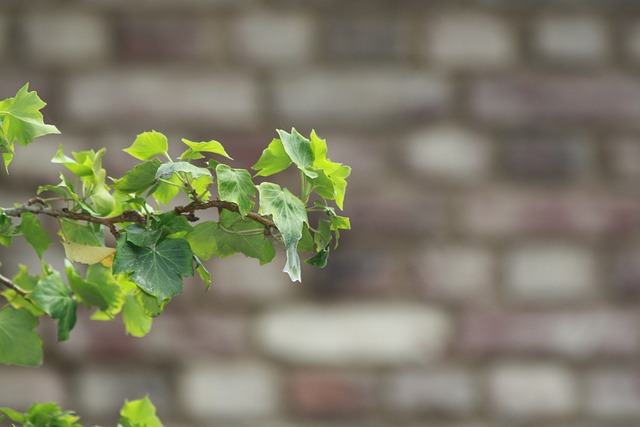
(229, 236)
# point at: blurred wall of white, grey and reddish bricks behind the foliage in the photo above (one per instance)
(492, 276)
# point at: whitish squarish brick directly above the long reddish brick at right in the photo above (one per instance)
(550, 273)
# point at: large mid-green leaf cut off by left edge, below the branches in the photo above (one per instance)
(19, 344)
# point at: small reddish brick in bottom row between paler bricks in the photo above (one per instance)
(331, 393)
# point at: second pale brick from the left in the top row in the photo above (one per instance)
(274, 39)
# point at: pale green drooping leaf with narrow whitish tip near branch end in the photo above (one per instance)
(289, 214)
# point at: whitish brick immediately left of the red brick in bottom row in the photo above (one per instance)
(229, 390)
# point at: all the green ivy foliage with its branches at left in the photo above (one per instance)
(150, 211)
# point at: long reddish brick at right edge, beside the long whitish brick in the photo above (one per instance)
(572, 334)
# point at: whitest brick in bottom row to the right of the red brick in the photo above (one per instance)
(531, 391)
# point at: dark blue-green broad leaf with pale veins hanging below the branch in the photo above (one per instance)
(158, 270)
